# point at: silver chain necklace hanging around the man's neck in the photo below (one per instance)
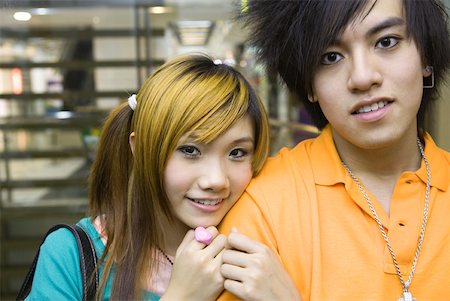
(406, 293)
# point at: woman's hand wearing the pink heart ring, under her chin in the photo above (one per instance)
(196, 270)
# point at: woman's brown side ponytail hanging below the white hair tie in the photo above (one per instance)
(109, 179)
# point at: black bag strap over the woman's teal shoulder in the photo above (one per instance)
(88, 264)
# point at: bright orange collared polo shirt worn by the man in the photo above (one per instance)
(309, 211)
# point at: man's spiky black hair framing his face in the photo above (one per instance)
(290, 37)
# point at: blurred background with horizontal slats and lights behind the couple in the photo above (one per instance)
(64, 64)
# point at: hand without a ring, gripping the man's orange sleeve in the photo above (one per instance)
(253, 272)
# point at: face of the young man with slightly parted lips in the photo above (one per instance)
(370, 81)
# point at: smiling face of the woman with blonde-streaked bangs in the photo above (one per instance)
(203, 181)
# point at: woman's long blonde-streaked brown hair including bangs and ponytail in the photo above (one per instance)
(189, 93)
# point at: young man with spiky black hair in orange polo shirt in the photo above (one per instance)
(362, 211)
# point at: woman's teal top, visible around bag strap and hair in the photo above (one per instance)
(58, 273)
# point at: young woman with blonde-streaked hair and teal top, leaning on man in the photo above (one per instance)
(174, 158)
